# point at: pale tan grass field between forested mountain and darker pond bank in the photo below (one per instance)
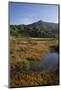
(22, 48)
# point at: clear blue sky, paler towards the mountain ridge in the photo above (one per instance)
(27, 13)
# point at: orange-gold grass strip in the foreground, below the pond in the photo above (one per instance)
(34, 79)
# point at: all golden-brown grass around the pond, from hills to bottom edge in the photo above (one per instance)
(25, 52)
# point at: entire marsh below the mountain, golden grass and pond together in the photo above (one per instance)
(33, 62)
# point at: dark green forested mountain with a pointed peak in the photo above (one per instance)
(37, 29)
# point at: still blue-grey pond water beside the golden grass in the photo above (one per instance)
(49, 63)
